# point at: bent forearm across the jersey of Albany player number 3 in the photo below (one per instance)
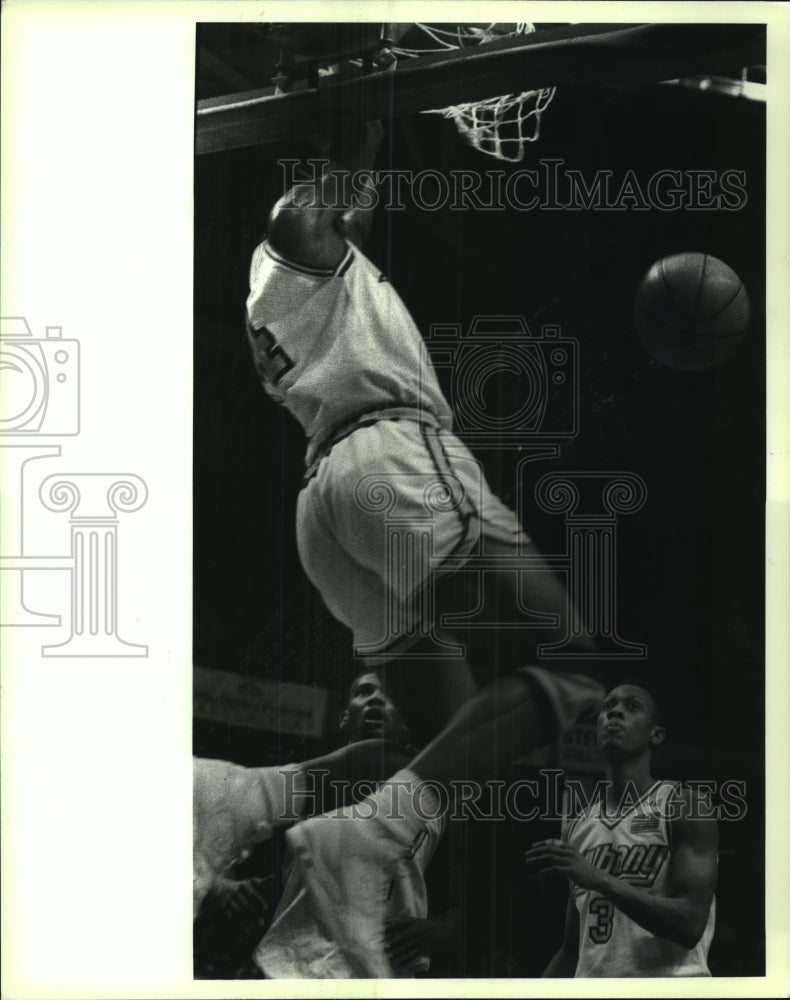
(677, 919)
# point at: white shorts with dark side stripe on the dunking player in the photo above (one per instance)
(386, 510)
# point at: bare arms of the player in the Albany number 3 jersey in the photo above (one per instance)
(680, 914)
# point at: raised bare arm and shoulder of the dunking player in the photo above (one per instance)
(310, 223)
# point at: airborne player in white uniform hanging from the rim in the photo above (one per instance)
(335, 345)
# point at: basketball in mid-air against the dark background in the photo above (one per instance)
(691, 311)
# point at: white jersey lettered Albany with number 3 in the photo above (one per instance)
(635, 846)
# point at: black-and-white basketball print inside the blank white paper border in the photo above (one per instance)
(479, 465)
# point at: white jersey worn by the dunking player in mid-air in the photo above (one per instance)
(334, 345)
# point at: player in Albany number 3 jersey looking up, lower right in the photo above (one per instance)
(641, 863)
